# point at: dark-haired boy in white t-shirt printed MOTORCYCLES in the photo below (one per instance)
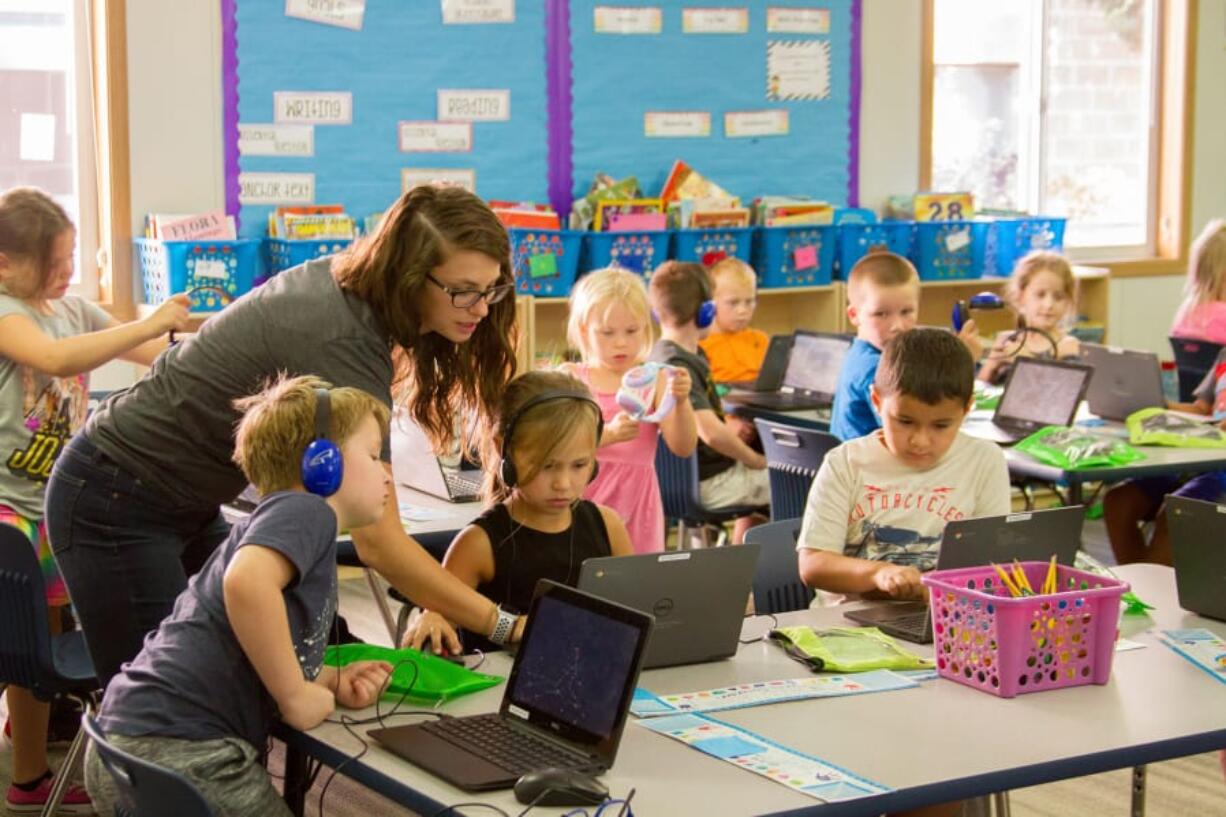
(880, 504)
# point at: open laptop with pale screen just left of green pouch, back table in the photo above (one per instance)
(1038, 393)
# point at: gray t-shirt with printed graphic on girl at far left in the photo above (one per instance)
(39, 413)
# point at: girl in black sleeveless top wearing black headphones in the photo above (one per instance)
(539, 526)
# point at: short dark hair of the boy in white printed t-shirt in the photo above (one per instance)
(930, 365)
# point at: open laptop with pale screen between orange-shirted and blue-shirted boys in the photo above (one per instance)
(811, 377)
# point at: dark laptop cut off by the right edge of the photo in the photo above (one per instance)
(1198, 532)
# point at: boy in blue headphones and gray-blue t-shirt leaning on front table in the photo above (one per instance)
(246, 641)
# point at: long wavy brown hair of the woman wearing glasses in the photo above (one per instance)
(388, 270)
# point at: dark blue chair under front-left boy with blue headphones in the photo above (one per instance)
(142, 788)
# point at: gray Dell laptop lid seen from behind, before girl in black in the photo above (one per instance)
(697, 597)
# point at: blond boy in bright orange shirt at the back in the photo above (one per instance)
(734, 348)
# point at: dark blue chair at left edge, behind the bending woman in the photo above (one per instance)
(32, 658)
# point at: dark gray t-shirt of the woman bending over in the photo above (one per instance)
(175, 429)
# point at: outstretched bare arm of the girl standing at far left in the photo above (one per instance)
(23, 342)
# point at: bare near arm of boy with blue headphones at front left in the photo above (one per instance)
(257, 613)
